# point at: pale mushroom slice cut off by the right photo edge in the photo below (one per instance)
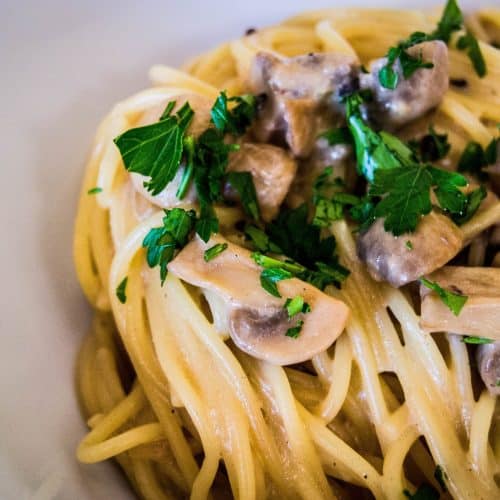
(480, 315)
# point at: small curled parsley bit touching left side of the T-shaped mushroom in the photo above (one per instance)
(236, 120)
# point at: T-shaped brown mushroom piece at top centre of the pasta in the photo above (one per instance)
(301, 92)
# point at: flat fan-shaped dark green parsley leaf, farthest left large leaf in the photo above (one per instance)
(156, 150)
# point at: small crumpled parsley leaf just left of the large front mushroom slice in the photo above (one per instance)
(163, 242)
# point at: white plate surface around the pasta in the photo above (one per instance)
(63, 64)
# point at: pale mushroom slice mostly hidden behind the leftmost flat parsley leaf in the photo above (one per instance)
(168, 197)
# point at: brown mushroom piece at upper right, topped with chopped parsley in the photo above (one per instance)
(413, 96)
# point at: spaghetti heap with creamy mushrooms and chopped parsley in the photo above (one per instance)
(292, 250)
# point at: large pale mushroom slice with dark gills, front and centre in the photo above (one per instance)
(257, 321)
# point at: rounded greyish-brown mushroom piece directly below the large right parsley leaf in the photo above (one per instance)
(402, 259)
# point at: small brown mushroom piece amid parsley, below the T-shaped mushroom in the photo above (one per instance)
(272, 169)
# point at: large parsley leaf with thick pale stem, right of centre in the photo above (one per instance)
(401, 184)
